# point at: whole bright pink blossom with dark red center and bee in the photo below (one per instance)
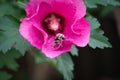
(53, 26)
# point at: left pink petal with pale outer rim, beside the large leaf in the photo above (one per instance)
(32, 34)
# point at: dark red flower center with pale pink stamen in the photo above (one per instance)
(53, 23)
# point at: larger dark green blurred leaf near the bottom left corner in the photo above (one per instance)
(9, 59)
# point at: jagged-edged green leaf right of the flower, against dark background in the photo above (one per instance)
(97, 38)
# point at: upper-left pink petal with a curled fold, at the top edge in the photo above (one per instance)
(38, 10)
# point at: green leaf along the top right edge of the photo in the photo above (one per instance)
(93, 3)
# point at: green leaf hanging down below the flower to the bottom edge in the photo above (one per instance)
(65, 66)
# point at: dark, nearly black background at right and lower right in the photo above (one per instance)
(101, 64)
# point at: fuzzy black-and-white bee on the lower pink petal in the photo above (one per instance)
(58, 39)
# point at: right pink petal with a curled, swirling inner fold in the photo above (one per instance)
(79, 33)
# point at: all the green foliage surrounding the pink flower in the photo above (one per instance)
(12, 45)
